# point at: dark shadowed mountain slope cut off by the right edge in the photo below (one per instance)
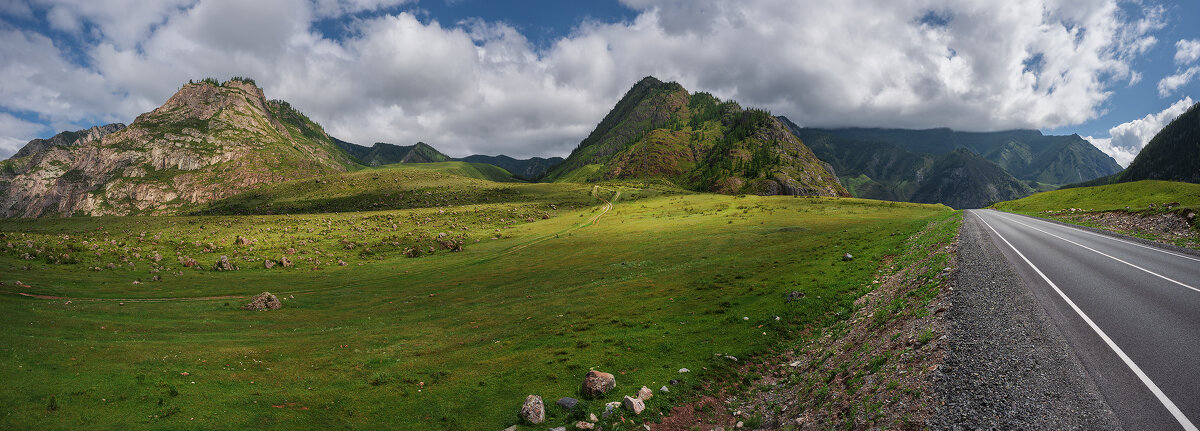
(1173, 155)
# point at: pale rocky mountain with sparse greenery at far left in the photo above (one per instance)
(208, 141)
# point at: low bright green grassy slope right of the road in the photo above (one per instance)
(1136, 196)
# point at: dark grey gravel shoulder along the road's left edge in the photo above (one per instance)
(1007, 366)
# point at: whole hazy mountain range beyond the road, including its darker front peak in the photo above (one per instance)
(986, 167)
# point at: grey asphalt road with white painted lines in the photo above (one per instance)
(1130, 312)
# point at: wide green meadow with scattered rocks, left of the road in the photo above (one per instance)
(449, 340)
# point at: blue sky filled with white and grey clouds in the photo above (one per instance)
(533, 79)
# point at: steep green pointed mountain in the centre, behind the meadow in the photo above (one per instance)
(661, 131)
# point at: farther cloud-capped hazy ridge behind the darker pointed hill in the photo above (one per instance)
(1027, 154)
